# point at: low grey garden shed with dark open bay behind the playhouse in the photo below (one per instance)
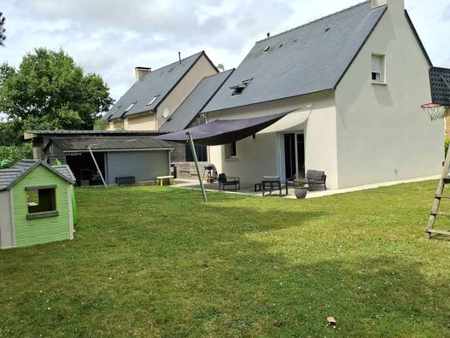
(118, 154)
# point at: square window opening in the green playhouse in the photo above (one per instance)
(41, 202)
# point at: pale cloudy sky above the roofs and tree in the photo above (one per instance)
(111, 37)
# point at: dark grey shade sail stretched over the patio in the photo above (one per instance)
(223, 131)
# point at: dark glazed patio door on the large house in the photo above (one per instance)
(294, 155)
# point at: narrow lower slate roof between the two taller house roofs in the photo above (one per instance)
(195, 102)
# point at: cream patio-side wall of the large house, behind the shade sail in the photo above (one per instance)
(264, 155)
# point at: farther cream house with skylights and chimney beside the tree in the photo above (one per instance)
(156, 94)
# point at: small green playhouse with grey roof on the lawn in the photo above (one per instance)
(37, 204)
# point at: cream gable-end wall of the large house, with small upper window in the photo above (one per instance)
(382, 133)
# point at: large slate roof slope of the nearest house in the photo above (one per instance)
(304, 60)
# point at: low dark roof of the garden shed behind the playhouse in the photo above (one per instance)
(109, 143)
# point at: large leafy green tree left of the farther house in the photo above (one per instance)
(49, 91)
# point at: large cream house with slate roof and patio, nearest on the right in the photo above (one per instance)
(355, 81)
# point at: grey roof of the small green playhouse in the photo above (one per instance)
(9, 177)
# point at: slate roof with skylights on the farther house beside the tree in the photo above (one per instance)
(158, 83)
